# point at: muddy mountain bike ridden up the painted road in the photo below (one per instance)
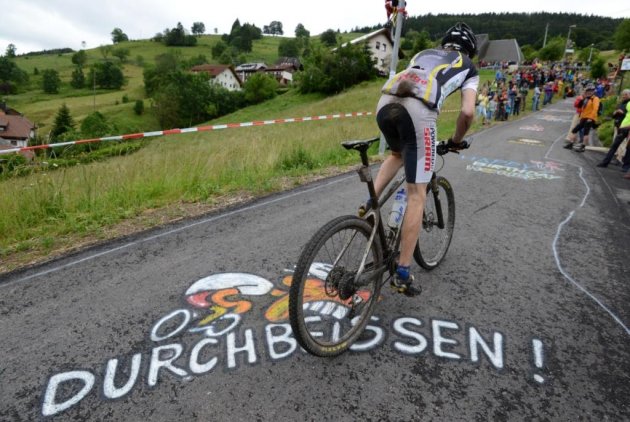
(341, 269)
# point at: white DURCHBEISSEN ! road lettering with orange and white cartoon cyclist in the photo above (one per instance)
(208, 336)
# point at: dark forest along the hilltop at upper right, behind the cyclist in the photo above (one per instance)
(527, 28)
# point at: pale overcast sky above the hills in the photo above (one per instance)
(34, 25)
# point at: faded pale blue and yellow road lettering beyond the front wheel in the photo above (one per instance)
(534, 170)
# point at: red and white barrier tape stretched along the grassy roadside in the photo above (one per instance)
(186, 130)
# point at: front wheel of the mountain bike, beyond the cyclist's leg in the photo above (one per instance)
(434, 241)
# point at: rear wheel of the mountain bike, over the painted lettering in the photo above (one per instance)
(329, 306)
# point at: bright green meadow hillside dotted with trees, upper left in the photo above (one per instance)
(116, 105)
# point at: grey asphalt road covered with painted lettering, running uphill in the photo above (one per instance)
(526, 319)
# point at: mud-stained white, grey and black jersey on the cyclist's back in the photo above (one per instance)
(432, 75)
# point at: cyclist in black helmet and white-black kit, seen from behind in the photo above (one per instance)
(407, 114)
